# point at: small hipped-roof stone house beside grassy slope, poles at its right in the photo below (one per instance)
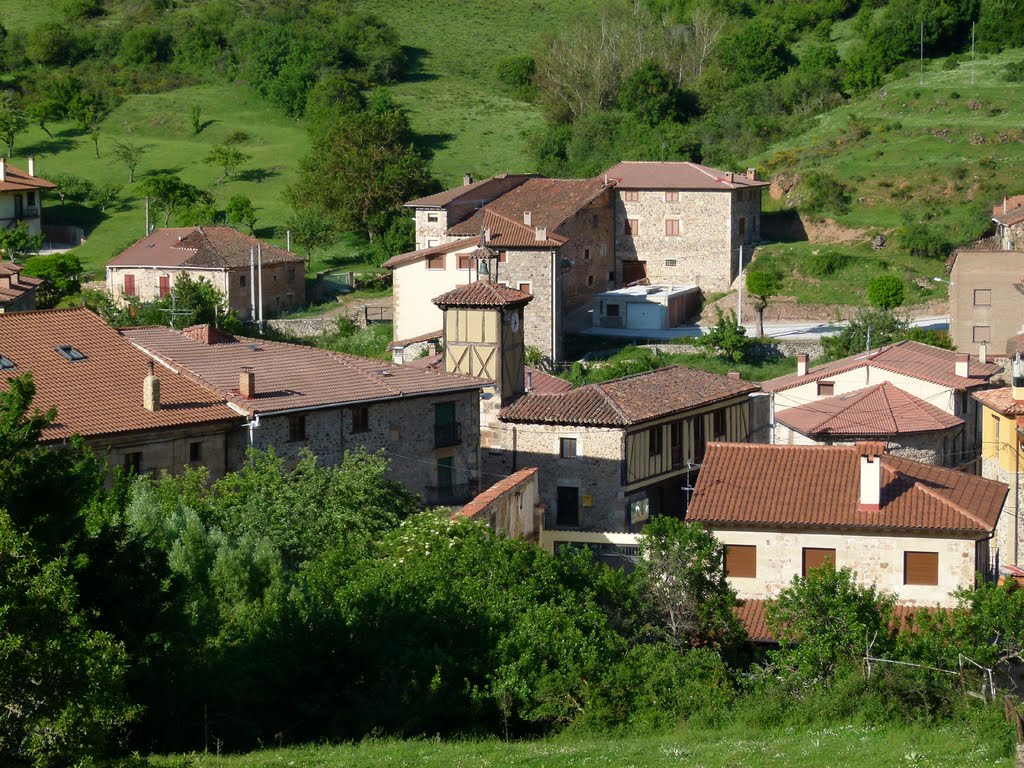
(258, 280)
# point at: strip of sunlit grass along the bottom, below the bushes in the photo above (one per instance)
(841, 746)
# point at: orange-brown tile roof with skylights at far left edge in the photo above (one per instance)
(102, 395)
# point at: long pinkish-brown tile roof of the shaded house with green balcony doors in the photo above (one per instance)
(291, 376)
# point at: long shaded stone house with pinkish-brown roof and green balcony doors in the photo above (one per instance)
(295, 398)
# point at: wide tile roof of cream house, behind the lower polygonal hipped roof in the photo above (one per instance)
(908, 358)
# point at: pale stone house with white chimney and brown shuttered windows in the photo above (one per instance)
(914, 530)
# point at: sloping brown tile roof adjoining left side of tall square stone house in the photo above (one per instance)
(551, 203)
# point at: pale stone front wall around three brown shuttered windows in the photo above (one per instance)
(876, 559)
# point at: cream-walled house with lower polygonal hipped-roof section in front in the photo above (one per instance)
(933, 378)
